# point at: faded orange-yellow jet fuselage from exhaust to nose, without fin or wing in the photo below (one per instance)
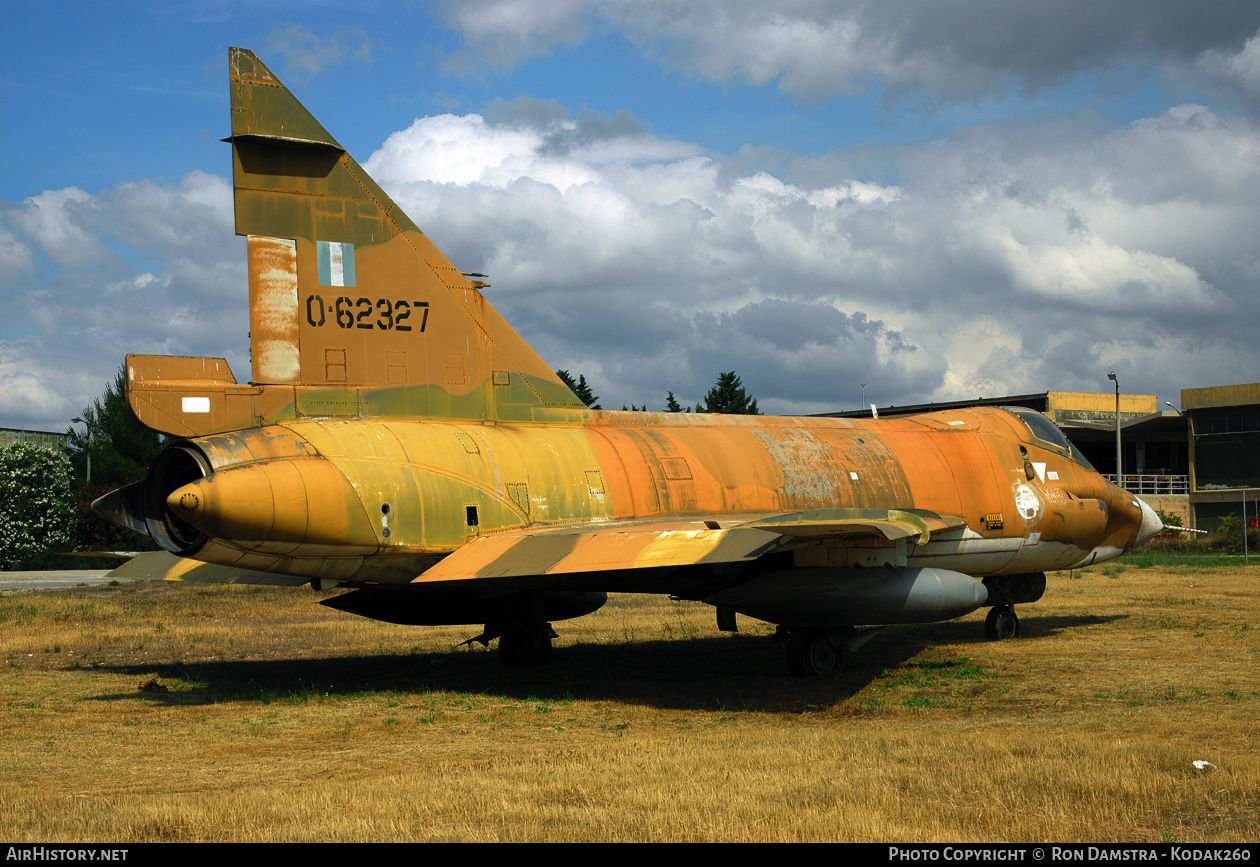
(382, 501)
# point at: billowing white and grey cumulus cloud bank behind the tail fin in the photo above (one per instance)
(1002, 259)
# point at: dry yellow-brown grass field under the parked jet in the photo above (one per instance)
(285, 721)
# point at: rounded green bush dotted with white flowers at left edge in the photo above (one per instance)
(36, 503)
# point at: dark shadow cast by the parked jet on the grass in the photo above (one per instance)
(720, 672)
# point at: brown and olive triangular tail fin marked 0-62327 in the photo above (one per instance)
(353, 312)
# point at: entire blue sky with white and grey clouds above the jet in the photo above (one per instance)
(907, 200)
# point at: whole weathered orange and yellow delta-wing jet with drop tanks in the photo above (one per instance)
(400, 438)
